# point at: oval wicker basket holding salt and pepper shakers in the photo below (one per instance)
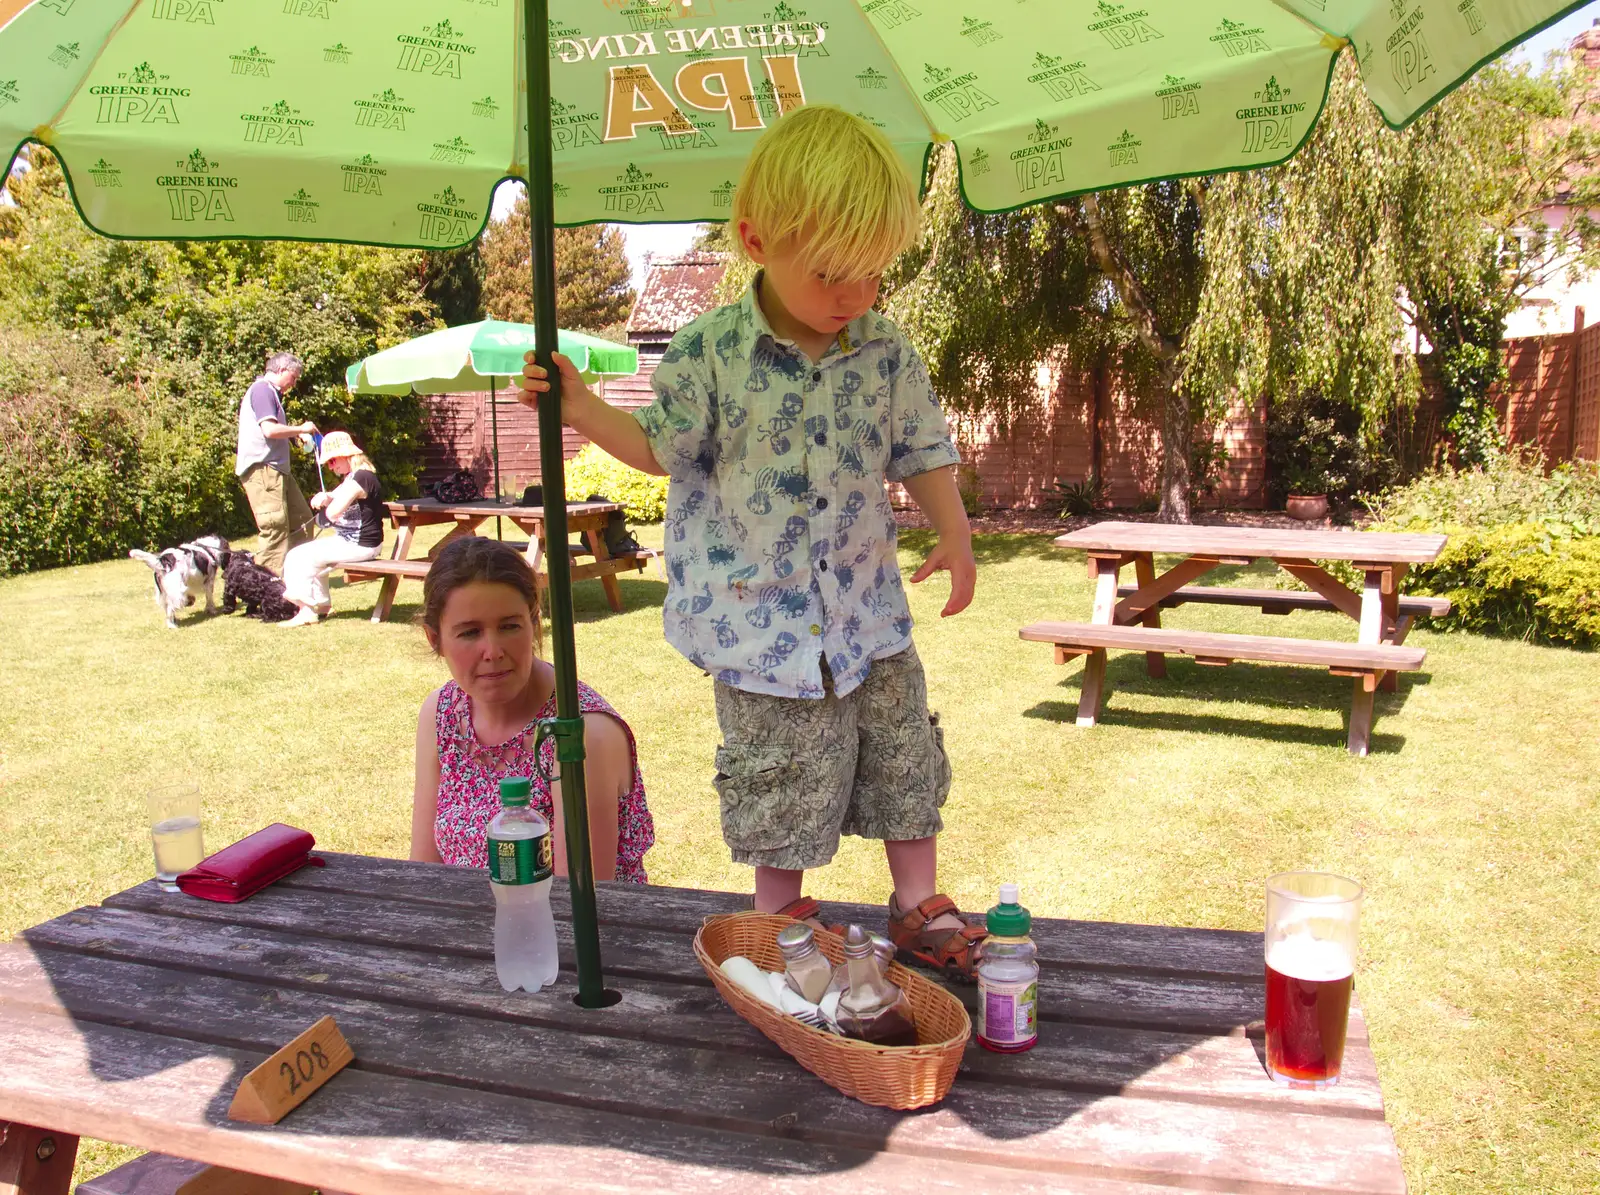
(894, 1077)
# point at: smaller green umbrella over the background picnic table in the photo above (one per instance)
(484, 356)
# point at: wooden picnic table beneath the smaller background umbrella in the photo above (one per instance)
(588, 519)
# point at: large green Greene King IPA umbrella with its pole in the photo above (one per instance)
(391, 121)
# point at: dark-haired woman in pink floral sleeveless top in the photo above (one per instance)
(481, 612)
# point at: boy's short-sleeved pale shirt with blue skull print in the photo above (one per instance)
(780, 538)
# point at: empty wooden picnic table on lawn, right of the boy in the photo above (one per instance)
(1129, 618)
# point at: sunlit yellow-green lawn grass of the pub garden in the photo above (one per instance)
(1473, 825)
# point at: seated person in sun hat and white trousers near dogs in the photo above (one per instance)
(354, 510)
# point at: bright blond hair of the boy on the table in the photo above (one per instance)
(833, 178)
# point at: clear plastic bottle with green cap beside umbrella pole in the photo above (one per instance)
(521, 868)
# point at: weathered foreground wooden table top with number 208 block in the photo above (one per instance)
(137, 1020)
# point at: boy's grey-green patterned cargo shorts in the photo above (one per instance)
(794, 775)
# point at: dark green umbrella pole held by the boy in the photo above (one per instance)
(569, 729)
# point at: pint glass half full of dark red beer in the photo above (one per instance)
(1311, 967)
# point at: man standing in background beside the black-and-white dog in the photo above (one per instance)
(263, 463)
